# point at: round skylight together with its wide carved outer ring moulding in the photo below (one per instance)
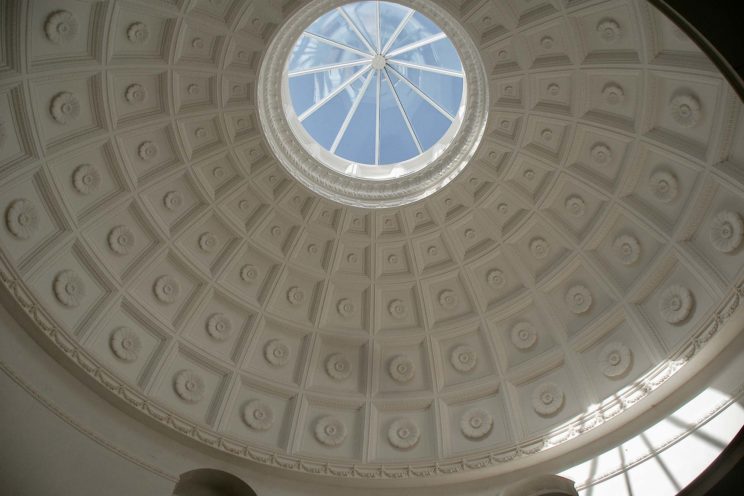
(365, 102)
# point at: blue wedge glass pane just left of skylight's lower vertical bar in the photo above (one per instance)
(358, 143)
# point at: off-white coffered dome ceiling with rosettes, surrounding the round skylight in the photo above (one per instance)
(584, 254)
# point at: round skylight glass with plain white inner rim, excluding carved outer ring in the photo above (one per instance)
(374, 90)
